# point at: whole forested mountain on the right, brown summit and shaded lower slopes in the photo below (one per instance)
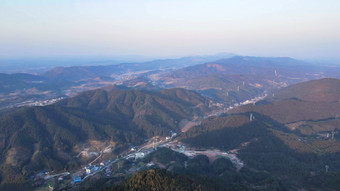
(293, 135)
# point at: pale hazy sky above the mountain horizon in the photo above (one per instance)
(296, 28)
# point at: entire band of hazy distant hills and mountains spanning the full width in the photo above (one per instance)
(229, 80)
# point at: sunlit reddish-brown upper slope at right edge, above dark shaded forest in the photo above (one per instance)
(314, 100)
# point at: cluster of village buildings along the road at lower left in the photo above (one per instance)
(49, 180)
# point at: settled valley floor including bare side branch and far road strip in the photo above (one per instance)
(135, 153)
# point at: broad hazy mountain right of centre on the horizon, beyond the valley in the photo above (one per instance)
(239, 78)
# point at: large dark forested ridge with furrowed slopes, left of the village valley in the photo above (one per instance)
(44, 137)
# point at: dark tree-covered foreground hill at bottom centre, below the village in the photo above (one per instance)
(174, 172)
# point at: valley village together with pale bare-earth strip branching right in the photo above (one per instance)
(50, 181)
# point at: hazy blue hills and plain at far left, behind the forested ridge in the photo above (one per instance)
(20, 89)
